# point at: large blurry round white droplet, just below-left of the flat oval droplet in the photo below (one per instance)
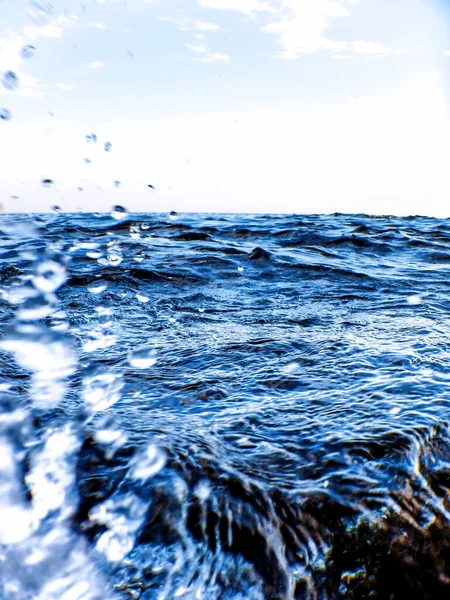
(101, 390)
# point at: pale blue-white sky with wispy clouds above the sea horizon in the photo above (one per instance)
(299, 106)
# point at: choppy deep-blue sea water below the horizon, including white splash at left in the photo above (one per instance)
(224, 407)
